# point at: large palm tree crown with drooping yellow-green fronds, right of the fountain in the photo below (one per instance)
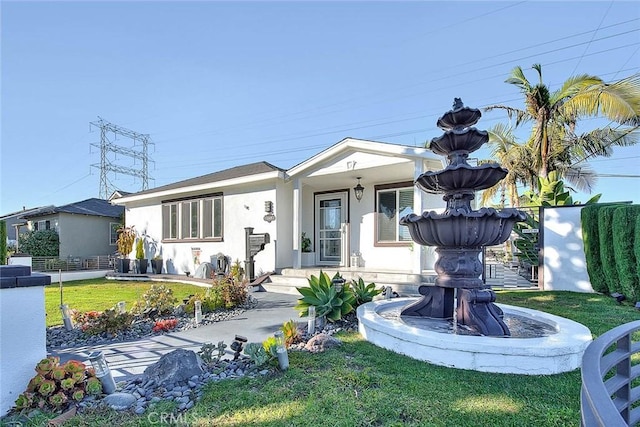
(553, 142)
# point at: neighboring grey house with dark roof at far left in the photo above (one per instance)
(86, 228)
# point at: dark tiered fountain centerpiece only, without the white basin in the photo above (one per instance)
(461, 232)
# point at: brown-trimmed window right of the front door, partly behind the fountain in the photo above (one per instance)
(391, 201)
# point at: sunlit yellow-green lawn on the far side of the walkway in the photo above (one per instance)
(100, 294)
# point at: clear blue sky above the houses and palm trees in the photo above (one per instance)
(220, 84)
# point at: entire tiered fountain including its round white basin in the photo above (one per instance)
(456, 322)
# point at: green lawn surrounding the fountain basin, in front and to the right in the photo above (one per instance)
(359, 384)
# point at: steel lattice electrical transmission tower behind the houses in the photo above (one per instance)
(106, 146)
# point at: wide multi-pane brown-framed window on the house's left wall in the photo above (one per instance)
(191, 219)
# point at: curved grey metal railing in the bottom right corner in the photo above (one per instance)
(608, 396)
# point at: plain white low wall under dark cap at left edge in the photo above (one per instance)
(22, 340)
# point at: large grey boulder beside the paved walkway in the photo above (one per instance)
(174, 367)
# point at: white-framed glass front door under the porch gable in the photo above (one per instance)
(330, 227)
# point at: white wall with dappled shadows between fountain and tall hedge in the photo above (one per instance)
(565, 266)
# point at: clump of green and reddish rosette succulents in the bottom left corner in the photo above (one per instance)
(56, 386)
